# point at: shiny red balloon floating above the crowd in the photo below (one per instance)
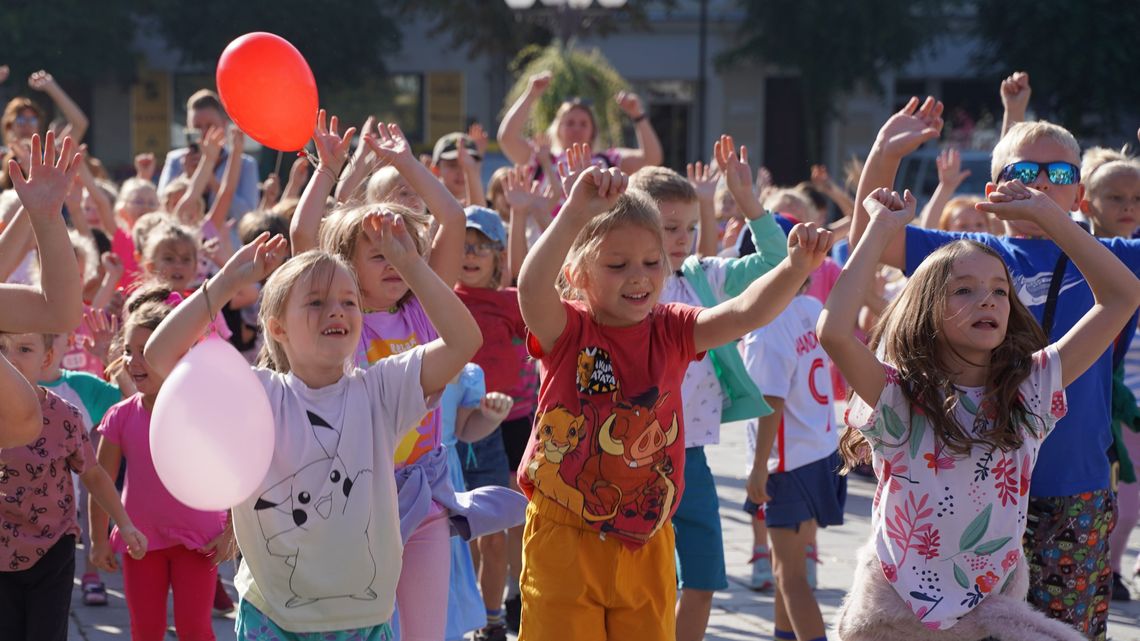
(268, 90)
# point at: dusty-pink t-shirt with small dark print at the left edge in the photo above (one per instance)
(36, 481)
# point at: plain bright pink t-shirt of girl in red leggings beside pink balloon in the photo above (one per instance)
(157, 514)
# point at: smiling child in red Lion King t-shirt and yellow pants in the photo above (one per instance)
(605, 470)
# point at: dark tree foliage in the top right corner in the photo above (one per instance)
(1081, 56)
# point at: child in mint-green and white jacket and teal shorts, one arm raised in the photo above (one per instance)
(688, 215)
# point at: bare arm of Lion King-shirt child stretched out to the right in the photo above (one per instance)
(767, 297)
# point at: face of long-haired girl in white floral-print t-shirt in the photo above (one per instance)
(976, 313)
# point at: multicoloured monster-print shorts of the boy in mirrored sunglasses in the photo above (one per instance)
(1066, 543)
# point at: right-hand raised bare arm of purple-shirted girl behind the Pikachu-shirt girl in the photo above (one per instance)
(392, 148)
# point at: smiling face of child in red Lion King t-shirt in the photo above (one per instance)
(624, 282)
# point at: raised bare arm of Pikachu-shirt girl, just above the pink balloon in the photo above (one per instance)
(185, 326)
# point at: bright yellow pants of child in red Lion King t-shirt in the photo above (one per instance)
(579, 587)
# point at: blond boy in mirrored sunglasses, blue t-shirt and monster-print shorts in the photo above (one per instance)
(1072, 507)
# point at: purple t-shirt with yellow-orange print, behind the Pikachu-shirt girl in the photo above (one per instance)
(390, 334)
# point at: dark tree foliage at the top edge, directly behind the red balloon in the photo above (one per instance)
(343, 40)
